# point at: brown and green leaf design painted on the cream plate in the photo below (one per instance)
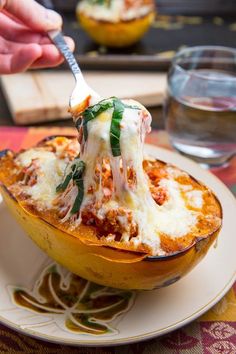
(85, 307)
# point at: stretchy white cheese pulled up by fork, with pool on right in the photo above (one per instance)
(173, 218)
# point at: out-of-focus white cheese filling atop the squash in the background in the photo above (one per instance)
(115, 12)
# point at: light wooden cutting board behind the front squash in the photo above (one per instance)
(43, 96)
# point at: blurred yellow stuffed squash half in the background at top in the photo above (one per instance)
(116, 23)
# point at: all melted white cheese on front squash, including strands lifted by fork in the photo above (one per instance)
(173, 218)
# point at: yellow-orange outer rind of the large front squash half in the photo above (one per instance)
(98, 264)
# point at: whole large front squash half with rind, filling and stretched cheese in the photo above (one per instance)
(105, 211)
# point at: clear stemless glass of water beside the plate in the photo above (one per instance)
(200, 107)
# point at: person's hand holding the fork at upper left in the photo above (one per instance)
(24, 43)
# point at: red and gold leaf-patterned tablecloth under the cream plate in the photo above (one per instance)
(212, 333)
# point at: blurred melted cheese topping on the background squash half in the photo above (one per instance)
(116, 10)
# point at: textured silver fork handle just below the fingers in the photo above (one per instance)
(58, 39)
